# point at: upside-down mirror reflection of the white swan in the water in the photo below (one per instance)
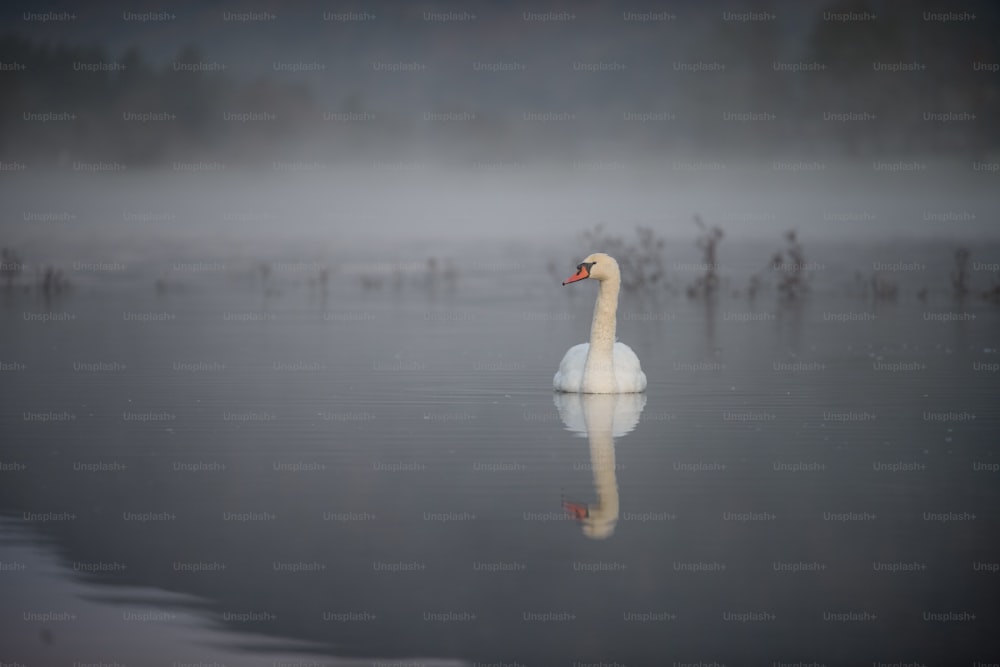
(600, 418)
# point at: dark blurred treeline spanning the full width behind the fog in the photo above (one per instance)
(820, 92)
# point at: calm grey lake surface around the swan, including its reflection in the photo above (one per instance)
(384, 476)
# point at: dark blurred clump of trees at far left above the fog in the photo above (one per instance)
(184, 108)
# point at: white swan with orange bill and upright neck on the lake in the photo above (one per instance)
(602, 366)
